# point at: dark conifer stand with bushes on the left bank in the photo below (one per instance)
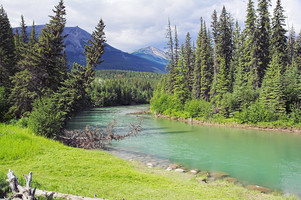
(35, 83)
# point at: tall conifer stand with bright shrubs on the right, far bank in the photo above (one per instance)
(252, 74)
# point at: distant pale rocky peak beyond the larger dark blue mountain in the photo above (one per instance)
(152, 54)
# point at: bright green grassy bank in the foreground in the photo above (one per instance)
(64, 169)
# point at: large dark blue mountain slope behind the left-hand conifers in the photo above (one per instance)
(113, 58)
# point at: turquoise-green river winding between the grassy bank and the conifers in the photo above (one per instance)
(270, 159)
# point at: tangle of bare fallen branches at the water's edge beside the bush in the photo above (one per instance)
(96, 138)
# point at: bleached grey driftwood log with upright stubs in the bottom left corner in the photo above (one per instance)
(27, 193)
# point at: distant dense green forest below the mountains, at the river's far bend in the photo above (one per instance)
(116, 87)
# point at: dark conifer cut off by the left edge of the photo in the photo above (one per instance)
(7, 50)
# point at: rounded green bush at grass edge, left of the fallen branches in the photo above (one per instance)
(45, 119)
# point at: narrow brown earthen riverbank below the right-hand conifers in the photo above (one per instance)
(232, 124)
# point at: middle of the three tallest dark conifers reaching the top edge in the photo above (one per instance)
(262, 36)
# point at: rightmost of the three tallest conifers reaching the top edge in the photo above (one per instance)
(279, 39)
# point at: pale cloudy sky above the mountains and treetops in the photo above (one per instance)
(133, 24)
